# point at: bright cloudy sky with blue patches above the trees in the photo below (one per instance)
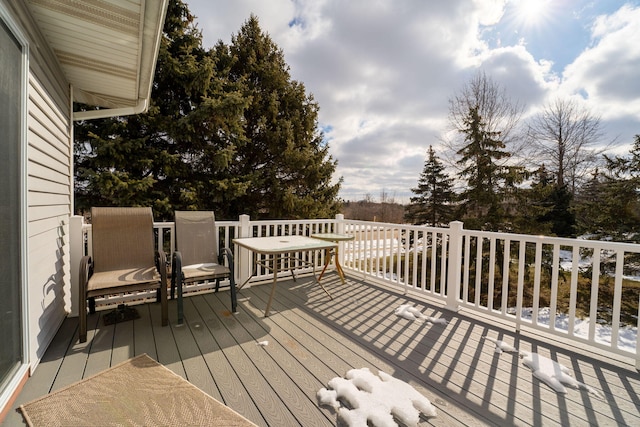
(383, 71)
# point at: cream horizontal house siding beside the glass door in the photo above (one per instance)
(48, 180)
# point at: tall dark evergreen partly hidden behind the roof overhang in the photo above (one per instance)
(143, 160)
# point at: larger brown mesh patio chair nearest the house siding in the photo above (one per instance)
(124, 260)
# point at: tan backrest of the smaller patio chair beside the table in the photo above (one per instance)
(196, 237)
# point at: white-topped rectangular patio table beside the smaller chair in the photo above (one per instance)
(278, 249)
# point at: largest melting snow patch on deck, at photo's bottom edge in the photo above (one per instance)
(362, 399)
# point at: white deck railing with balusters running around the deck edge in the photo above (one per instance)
(545, 283)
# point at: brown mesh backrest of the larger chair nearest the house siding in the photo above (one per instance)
(122, 238)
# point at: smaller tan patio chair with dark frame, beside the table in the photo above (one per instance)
(196, 257)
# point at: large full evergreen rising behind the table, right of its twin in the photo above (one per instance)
(284, 161)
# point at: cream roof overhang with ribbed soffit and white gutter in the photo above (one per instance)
(106, 48)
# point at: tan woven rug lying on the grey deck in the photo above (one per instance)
(138, 392)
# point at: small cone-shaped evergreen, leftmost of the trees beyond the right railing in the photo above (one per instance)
(434, 195)
